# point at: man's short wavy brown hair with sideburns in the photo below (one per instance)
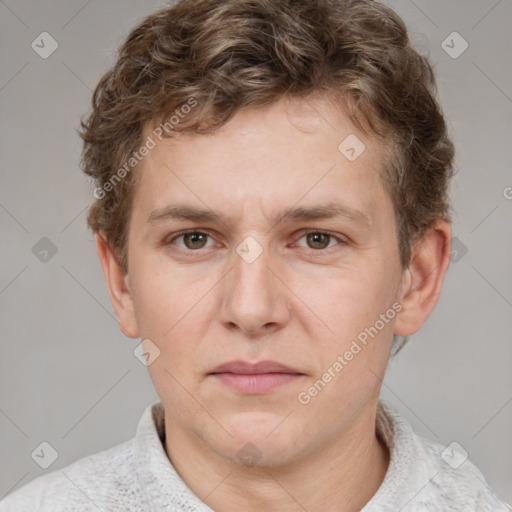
(232, 54)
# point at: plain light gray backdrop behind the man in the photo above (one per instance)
(69, 377)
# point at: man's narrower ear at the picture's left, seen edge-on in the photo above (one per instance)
(118, 288)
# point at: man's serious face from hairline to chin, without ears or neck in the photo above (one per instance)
(252, 285)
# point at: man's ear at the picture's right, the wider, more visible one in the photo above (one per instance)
(424, 277)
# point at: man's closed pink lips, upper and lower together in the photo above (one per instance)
(254, 378)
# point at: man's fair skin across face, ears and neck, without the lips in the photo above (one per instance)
(301, 303)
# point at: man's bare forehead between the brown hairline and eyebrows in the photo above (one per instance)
(293, 152)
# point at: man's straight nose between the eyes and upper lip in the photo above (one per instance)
(255, 300)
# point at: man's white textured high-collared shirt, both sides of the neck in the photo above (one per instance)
(138, 476)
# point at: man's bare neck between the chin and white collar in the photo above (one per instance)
(341, 476)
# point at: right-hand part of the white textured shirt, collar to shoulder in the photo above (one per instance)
(425, 475)
